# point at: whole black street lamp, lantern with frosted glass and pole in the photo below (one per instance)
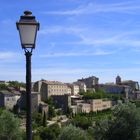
(28, 27)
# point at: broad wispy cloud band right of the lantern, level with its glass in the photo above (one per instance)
(98, 37)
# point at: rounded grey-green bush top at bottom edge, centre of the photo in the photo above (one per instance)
(73, 133)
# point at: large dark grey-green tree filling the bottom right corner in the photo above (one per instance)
(123, 125)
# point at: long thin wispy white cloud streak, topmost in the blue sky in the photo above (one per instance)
(91, 8)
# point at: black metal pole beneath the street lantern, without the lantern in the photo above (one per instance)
(28, 96)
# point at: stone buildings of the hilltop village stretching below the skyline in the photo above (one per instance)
(84, 95)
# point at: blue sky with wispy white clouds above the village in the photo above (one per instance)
(77, 38)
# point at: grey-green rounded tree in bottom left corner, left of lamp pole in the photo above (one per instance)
(9, 127)
